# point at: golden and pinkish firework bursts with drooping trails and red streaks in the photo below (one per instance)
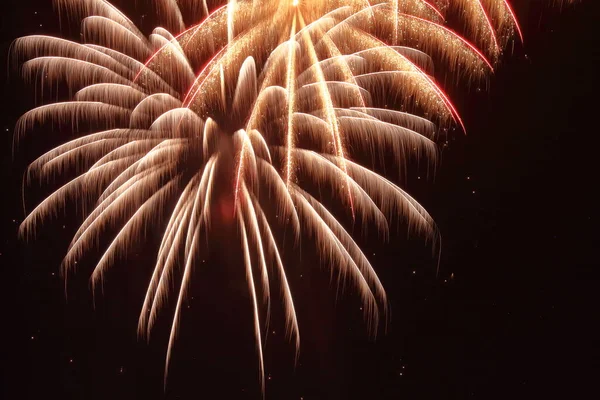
(271, 100)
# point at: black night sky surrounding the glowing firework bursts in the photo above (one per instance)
(516, 203)
